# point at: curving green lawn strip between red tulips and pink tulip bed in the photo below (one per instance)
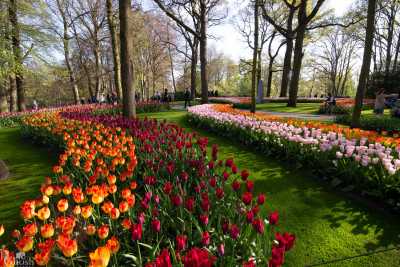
(331, 229)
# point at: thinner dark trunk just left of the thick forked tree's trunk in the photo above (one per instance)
(287, 62)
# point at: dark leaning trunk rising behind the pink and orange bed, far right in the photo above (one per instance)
(362, 82)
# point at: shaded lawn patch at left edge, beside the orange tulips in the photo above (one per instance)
(28, 165)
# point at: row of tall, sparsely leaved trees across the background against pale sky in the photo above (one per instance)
(166, 45)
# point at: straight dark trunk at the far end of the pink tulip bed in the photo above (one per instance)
(203, 51)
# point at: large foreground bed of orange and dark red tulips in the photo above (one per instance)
(141, 192)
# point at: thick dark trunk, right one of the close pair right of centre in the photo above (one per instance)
(298, 55)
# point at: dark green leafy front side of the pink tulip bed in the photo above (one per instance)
(348, 176)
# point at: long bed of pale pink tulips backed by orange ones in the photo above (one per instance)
(368, 164)
